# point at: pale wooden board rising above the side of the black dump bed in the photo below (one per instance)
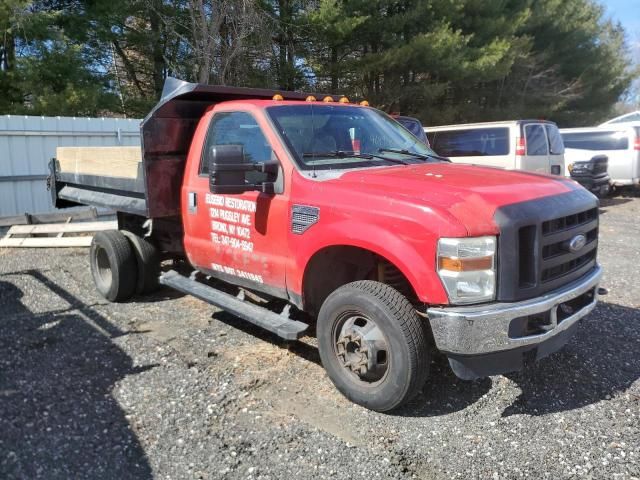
(103, 161)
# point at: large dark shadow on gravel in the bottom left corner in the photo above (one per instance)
(58, 418)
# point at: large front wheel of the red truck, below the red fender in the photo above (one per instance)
(373, 345)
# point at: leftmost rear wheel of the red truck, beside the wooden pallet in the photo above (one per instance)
(113, 265)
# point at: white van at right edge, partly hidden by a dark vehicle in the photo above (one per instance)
(621, 143)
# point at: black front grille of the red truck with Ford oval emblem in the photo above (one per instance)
(535, 254)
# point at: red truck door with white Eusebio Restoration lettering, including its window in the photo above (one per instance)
(240, 238)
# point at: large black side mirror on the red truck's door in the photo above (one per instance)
(228, 171)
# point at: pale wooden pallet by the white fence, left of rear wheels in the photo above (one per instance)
(23, 235)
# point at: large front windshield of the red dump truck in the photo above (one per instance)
(340, 136)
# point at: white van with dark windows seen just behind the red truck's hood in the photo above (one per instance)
(533, 145)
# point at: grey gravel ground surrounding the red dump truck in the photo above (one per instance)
(159, 387)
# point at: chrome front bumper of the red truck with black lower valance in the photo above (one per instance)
(512, 328)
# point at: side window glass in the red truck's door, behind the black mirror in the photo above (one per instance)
(237, 128)
